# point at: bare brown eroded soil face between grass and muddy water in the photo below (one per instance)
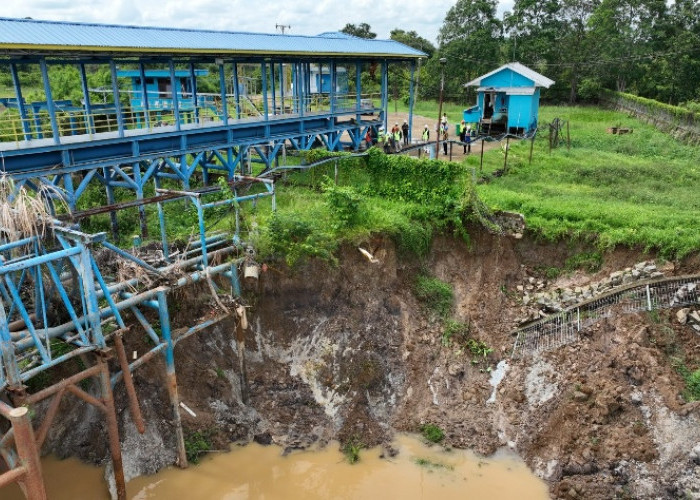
(347, 352)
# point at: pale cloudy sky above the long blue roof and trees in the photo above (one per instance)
(306, 17)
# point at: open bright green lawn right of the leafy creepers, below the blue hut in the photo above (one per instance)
(638, 190)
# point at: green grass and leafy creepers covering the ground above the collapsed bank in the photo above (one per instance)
(638, 190)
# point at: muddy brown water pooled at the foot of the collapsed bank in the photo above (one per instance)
(260, 472)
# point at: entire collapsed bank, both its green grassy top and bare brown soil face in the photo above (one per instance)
(341, 347)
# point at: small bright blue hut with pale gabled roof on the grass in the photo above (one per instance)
(508, 99)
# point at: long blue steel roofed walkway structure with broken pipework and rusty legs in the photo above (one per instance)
(150, 130)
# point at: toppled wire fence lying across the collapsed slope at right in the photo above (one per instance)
(564, 327)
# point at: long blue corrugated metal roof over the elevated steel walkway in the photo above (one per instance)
(50, 36)
